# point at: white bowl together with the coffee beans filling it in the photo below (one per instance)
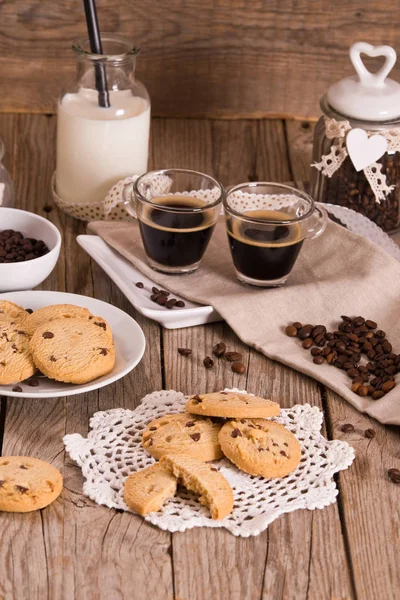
(29, 249)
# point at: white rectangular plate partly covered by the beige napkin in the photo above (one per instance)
(125, 276)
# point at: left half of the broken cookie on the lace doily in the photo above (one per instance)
(146, 490)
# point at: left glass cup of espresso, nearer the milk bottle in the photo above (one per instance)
(177, 210)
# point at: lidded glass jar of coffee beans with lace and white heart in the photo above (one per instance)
(356, 174)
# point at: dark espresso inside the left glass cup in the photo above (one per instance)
(176, 229)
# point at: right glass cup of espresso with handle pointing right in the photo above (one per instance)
(267, 224)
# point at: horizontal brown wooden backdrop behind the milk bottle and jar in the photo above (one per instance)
(231, 58)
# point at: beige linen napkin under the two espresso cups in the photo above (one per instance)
(340, 273)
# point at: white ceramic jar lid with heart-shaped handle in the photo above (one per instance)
(367, 96)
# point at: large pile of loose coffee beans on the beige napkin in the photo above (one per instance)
(358, 347)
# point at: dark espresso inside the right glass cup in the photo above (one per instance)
(264, 250)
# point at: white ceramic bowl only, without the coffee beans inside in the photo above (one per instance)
(28, 274)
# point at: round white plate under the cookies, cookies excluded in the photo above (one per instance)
(129, 343)
